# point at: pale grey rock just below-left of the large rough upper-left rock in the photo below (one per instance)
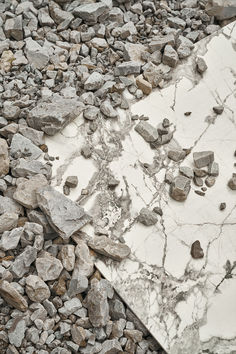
(23, 147)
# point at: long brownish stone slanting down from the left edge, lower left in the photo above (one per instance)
(12, 296)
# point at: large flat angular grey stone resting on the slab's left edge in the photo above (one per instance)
(65, 217)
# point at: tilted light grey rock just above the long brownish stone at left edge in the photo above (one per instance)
(22, 262)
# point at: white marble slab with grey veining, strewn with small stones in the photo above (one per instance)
(188, 305)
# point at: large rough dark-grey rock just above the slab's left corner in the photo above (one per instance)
(53, 115)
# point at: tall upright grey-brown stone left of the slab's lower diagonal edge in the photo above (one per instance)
(97, 304)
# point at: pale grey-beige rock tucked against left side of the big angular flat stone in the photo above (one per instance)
(25, 193)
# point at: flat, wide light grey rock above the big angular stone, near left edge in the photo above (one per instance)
(24, 168)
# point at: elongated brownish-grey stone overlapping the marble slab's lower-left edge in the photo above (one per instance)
(105, 246)
